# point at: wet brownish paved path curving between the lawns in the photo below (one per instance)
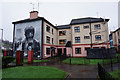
(74, 71)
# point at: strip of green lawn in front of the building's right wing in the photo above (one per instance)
(90, 61)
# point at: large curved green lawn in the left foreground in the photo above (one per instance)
(33, 72)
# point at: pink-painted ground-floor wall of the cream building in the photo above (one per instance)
(69, 51)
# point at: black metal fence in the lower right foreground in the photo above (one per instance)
(103, 74)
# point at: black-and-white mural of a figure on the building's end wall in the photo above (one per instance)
(28, 38)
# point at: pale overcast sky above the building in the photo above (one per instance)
(59, 13)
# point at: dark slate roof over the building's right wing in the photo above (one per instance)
(87, 20)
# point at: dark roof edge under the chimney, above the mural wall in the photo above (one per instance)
(30, 20)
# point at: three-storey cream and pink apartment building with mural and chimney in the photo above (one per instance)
(84, 33)
